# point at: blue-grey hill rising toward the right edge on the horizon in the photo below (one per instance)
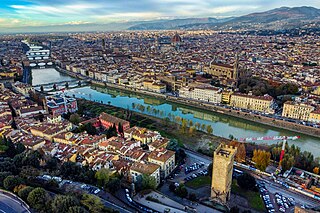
(279, 18)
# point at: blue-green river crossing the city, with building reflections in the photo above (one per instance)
(223, 125)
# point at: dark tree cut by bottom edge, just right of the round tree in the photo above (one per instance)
(62, 203)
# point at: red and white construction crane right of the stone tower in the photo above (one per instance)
(264, 138)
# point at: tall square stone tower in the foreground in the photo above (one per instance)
(222, 169)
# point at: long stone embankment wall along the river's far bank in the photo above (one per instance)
(298, 128)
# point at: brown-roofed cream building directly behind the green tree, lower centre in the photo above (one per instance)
(151, 169)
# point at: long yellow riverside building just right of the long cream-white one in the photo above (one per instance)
(250, 102)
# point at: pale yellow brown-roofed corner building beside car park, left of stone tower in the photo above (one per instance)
(165, 159)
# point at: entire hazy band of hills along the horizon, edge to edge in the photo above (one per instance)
(280, 18)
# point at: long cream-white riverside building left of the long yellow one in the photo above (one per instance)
(205, 93)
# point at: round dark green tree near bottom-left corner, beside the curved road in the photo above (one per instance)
(38, 199)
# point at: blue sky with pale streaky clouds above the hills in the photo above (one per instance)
(21, 13)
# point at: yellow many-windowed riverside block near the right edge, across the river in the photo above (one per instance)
(297, 111)
